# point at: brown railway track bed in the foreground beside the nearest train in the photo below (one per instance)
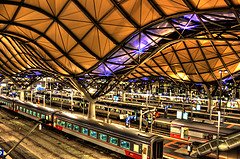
(58, 145)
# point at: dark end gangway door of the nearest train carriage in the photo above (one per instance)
(157, 150)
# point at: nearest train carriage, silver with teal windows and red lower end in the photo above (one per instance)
(114, 137)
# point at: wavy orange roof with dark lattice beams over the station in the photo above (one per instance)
(99, 43)
